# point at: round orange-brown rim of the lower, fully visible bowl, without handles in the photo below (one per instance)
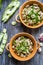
(15, 55)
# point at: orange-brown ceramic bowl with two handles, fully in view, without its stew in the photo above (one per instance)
(35, 47)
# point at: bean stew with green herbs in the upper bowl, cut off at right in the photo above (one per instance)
(32, 15)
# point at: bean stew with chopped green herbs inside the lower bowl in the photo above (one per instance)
(22, 46)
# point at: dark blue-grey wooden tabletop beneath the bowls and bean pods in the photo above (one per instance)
(12, 30)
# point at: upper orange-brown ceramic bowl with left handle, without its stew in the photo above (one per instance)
(30, 2)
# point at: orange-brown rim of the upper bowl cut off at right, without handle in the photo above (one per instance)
(33, 27)
